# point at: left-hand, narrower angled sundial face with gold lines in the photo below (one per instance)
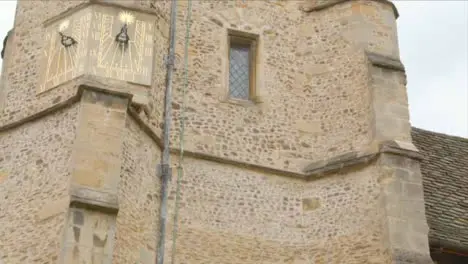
(64, 52)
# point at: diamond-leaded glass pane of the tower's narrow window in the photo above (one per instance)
(239, 72)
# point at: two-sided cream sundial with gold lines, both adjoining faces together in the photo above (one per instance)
(104, 41)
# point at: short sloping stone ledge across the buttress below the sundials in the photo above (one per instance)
(84, 197)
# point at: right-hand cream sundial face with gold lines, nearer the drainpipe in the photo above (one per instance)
(122, 45)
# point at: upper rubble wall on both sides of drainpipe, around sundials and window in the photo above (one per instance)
(312, 79)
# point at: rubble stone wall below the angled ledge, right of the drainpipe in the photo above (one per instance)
(234, 215)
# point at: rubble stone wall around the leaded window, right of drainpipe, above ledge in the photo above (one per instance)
(313, 82)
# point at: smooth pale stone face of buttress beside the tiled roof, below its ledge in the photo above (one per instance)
(403, 199)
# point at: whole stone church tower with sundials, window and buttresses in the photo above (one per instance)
(297, 135)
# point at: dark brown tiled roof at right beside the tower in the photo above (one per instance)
(445, 180)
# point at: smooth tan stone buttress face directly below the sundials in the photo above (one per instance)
(97, 147)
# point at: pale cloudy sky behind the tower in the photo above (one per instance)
(433, 37)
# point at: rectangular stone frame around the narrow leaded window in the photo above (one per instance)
(244, 38)
